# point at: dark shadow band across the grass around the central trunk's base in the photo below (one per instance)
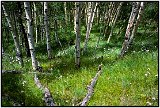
(66, 63)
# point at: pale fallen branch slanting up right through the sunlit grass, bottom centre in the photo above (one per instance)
(91, 86)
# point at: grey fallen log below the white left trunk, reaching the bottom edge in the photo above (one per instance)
(47, 96)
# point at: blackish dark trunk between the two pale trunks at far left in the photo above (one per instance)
(22, 30)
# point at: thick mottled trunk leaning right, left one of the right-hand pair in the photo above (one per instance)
(131, 23)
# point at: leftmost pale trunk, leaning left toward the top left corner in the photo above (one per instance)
(18, 51)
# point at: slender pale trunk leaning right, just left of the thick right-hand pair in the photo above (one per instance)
(117, 14)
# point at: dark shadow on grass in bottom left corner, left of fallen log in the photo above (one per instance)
(14, 91)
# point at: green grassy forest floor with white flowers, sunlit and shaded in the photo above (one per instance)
(130, 81)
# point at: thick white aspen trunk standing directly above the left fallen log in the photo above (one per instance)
(30, 35)
